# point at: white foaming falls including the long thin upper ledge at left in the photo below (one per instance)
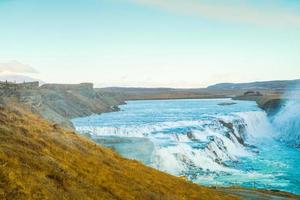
(172, 151)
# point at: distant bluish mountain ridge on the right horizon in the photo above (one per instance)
(274, 85)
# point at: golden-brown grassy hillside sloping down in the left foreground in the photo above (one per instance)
(38, 160)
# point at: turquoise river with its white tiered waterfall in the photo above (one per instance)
(204, 140)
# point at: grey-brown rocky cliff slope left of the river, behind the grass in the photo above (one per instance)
(61, 102)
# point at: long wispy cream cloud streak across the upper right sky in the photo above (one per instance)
(244, 12)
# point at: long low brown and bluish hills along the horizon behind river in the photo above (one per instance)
(221, 90)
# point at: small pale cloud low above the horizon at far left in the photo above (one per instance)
(16, 67)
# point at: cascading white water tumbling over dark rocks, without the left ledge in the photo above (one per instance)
(224, 139)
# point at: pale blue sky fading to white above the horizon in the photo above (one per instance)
(167, 43)
